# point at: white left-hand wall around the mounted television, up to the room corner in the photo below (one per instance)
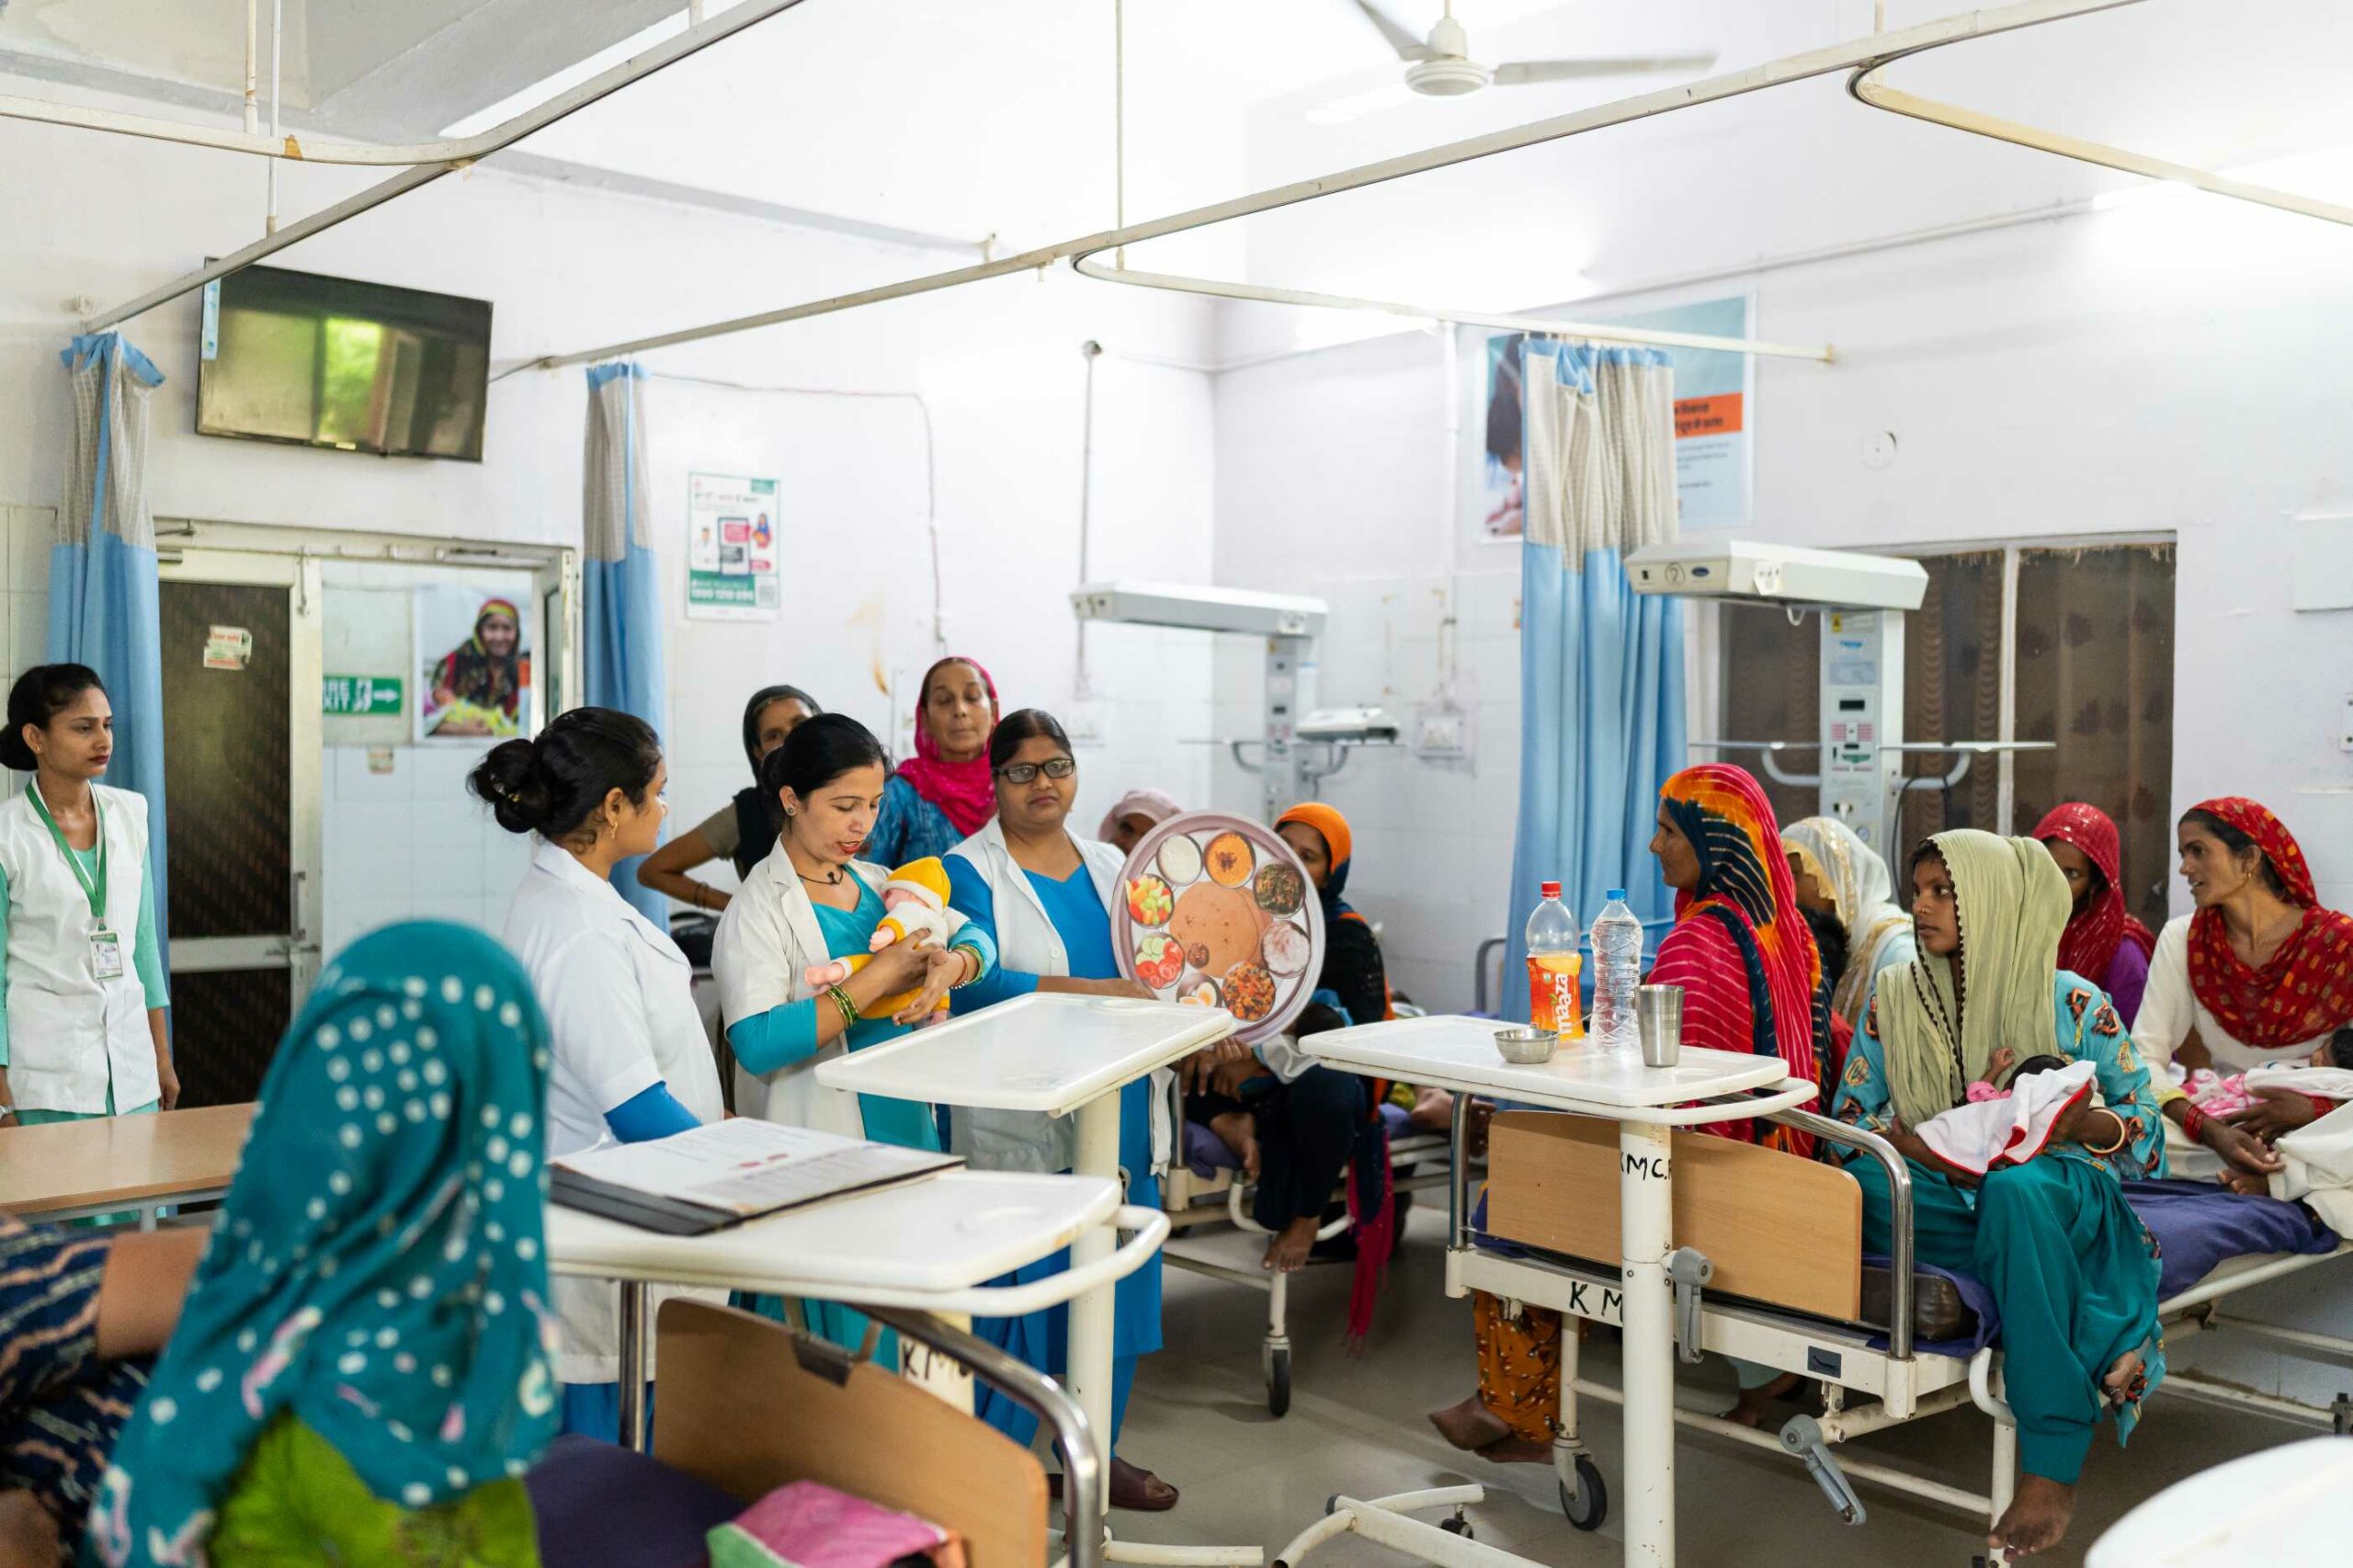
(568, 270)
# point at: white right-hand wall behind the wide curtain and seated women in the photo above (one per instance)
(2161, 368)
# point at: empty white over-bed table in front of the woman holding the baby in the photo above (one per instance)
(1062, 1056)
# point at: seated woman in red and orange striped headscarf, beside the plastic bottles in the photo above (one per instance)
(1752, 981)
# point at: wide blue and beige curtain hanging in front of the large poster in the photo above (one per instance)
(1601, 667)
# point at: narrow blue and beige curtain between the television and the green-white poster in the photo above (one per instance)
(620, 578)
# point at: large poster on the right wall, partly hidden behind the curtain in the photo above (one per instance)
(1714, 416)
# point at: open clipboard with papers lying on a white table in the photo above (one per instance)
(731, 1171)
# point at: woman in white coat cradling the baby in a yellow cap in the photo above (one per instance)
(808, 905)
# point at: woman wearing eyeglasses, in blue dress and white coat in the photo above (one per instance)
(1048, 898)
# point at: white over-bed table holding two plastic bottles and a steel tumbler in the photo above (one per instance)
(1648, 1103)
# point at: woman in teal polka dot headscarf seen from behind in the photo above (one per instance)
(364, 1367)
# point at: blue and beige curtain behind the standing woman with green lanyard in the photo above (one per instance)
(102, 569)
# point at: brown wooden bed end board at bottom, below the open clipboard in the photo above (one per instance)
(740, 1409)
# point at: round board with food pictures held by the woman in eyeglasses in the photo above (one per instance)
(1218, 912)
